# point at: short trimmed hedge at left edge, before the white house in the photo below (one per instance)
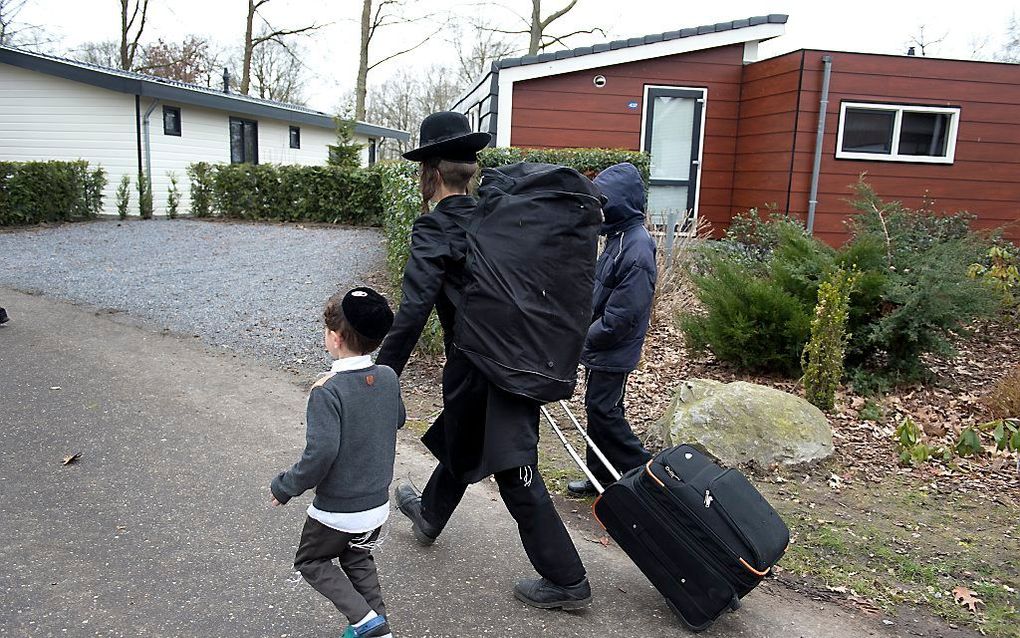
(32, 192)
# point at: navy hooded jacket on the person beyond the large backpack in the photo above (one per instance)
(625, 278)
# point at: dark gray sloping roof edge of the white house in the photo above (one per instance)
(182, 93)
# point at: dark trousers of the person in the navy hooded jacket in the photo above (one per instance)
(608, 427)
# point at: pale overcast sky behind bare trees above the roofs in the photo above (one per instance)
(869, 26)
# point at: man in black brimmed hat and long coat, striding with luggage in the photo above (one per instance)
(483, 430)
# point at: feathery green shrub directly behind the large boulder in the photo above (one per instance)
(750, 322)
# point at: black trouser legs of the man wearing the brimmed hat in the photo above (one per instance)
(545, 538)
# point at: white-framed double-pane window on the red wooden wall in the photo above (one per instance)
(895, 133)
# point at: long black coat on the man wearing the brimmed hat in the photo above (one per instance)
(482, 430)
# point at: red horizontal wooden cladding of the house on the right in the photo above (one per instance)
(761, 123)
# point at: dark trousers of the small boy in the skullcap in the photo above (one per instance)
(354, 586)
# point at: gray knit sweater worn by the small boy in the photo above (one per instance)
(353, 418)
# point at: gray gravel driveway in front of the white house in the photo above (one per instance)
(251, 287)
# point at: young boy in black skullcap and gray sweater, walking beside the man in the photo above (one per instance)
(352, 418)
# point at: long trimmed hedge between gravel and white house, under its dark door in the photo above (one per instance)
(287, 193)
